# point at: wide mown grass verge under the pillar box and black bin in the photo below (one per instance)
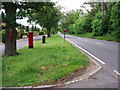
(44, 64)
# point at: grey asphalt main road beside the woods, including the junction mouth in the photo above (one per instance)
(107, 54)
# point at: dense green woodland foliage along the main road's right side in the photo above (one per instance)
(100, 21)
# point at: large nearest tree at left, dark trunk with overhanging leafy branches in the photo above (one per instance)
(10, 10)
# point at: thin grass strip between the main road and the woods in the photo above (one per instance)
(105, 37)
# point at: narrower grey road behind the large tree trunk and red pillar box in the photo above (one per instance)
(20, 44)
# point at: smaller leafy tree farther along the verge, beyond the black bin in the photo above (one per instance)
(47, 20)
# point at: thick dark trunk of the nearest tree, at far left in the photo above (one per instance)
(10, 41)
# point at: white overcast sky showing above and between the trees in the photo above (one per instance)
(66, 4)
